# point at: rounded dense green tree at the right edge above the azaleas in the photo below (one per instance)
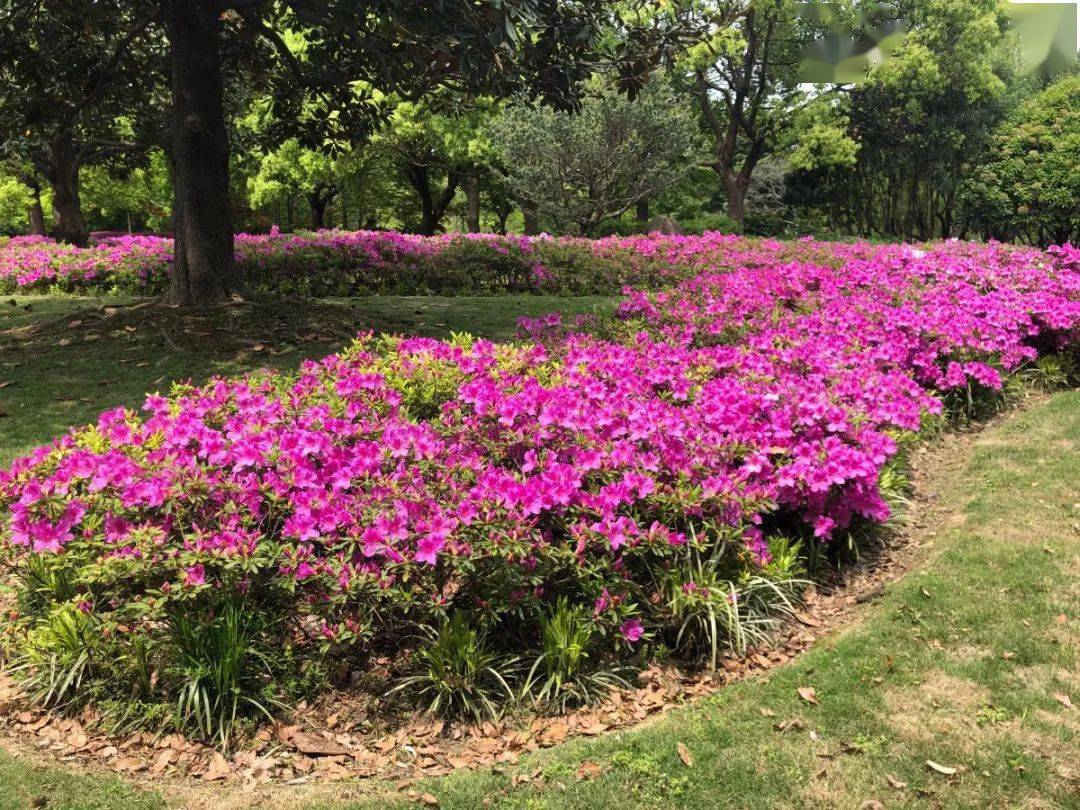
(1030, 186)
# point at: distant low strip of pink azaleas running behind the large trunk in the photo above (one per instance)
(348, 263)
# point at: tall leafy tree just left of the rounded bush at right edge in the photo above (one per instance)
(921, 121)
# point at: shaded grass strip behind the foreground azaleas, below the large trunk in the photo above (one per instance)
(79, 361)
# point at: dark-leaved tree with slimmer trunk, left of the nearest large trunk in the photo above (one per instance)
(76, 84)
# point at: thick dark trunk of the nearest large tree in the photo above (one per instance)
(205, 271)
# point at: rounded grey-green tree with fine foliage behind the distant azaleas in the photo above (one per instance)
(582, 169)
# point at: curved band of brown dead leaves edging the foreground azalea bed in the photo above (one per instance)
(336, 740)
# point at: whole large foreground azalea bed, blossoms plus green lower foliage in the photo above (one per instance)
(657, 483)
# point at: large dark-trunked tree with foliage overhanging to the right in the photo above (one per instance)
(353, 56)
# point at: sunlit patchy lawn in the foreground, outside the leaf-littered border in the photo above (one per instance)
(970, 649)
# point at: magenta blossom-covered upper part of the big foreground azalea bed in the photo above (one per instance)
(767, 396)
